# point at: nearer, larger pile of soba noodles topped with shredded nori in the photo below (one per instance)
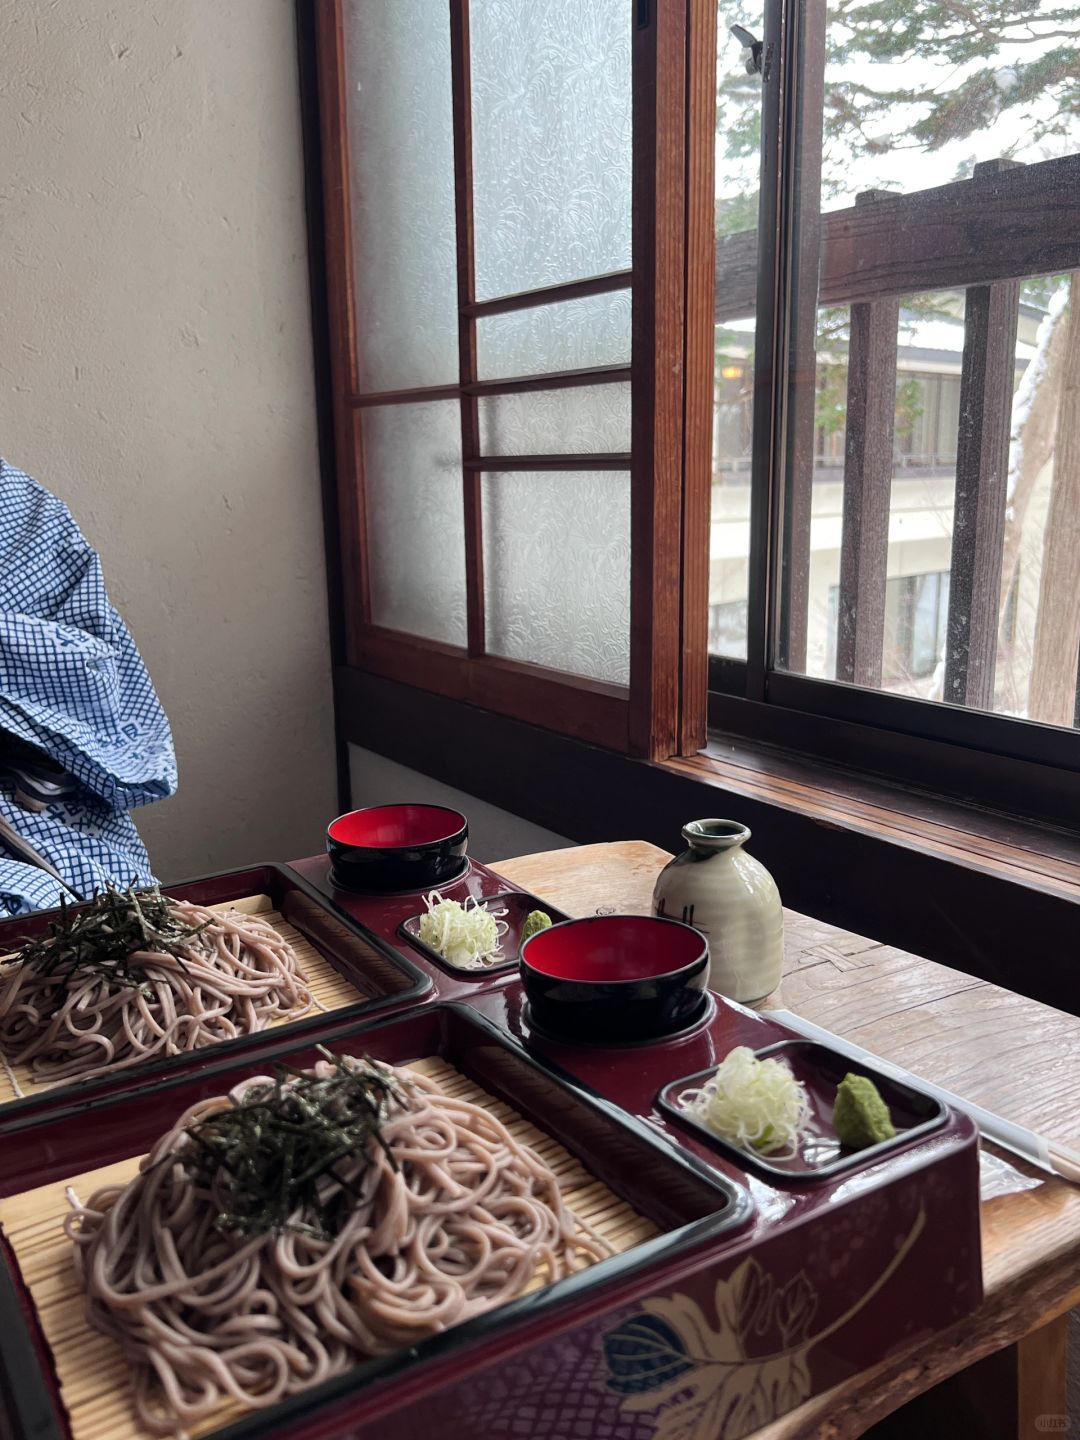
(440, 1216)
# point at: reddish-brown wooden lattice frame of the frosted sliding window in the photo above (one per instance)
(652, 718)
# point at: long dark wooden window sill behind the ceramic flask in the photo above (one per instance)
(994, 896)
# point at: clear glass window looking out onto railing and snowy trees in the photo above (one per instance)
(914, 335)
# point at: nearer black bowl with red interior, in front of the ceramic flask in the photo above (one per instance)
(616, 978)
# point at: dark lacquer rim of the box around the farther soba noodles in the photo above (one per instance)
(385, 978)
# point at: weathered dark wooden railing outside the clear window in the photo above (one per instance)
(983, 237)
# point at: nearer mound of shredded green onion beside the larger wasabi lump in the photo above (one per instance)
(754, 1104)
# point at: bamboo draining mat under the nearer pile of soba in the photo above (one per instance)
(93, 1374)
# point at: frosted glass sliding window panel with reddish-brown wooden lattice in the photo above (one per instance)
(508, 333)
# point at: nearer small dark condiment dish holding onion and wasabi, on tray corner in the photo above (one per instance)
(819, 1156)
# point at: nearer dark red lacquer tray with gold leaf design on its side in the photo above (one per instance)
(718, 1327)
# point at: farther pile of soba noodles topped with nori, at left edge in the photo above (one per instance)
(90, 1002)
